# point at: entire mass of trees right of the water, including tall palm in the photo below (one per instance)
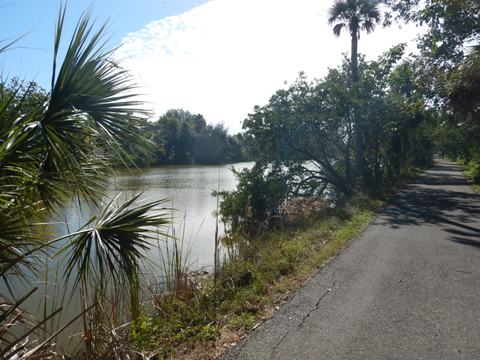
(357, 129)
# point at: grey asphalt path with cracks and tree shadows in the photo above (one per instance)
(408, 288)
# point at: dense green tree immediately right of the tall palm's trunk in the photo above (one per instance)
(399, 124)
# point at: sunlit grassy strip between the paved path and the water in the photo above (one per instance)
(257, 277)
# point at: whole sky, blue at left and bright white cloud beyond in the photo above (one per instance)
(219, 58)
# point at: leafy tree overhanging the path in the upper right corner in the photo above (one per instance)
(450, 59)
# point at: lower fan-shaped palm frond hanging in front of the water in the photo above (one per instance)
(114, 247)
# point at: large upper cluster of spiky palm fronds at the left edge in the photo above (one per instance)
(89, 113)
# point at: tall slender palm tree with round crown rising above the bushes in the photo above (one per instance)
(355, 15)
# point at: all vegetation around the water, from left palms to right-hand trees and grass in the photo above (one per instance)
(327, 152)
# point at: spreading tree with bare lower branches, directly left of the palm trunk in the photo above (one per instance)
(307, 128)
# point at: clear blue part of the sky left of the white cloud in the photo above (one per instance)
(32, 56)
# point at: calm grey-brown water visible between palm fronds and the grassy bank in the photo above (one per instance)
(189, 190)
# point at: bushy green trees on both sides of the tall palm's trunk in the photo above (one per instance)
(304, 137)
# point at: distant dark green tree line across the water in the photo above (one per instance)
(178, 137)
